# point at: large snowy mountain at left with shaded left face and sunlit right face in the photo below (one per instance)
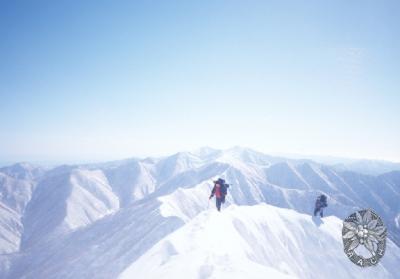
(65, 200)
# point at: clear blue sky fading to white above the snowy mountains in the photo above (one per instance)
(103, 80)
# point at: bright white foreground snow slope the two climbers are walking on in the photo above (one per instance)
(258, 241)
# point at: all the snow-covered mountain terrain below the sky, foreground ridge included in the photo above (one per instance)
(150, 218)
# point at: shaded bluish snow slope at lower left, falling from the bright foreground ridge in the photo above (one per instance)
(102, 250)
